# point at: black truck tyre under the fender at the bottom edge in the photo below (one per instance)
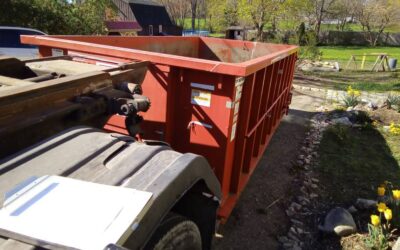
(176, 233)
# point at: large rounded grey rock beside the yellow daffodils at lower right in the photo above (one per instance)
(340, 222)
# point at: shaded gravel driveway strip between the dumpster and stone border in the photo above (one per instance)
(259, 217)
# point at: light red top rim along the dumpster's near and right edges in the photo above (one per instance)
(236, 69)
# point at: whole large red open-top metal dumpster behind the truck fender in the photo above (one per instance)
(222, 99)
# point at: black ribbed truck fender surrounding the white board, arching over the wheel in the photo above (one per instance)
(180, 183)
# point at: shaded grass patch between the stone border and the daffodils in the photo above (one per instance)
(354, 162)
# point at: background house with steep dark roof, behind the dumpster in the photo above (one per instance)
(150, 15)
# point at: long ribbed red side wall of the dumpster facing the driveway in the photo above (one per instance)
(265, 99)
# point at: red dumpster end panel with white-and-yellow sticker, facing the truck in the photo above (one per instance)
(203, 123)
